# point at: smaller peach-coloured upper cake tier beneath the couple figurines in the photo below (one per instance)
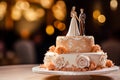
(76, 44)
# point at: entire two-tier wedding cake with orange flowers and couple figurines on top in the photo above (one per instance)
(75, 51)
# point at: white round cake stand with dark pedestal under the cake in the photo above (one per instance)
(72, 75)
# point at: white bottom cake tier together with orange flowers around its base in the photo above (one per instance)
(76, 61)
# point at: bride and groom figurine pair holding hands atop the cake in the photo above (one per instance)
(74, 30)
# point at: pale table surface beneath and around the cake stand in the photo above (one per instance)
(24, 72)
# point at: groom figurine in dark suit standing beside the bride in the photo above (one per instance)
(82, 18)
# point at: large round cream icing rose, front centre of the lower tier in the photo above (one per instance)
(82, 61)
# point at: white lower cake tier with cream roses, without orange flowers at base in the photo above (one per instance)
(75, 60)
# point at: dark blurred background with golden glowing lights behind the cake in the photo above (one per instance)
(29, 27)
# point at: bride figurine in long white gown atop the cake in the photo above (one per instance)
(73, 28)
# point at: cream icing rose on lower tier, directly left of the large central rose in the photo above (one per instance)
(59, 62)
